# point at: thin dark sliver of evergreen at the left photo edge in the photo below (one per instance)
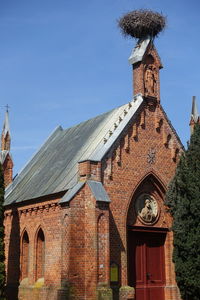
(2, 255)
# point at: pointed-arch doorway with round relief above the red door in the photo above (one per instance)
(147, 230)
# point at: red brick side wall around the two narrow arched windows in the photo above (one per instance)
(31, 217)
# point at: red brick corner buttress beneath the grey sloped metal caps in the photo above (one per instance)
(85, 245)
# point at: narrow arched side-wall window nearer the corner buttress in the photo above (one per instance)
(40, 254)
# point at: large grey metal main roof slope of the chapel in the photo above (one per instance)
(54, 167)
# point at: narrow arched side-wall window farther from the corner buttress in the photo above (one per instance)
(25, 255)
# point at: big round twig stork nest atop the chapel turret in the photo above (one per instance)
(141, 23)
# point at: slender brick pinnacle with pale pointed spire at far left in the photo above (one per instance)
(5, 156)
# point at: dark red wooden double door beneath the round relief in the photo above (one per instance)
(146, 264)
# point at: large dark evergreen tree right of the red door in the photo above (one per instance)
(183, 200)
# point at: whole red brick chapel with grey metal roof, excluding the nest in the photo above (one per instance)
(85, 218)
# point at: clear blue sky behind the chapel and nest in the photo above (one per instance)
(65, 61)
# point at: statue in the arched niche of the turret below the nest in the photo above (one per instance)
(150, 81)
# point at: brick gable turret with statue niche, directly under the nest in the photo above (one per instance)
(146, 65)
